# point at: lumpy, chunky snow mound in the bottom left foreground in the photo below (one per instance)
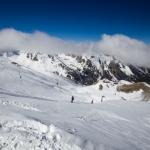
(27, 135)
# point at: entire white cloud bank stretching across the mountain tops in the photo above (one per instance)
(124, 48)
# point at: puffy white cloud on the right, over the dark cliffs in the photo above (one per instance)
(124, 48)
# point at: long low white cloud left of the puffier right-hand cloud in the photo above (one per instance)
(38, 41)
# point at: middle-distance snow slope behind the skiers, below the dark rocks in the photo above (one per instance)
(32, 77)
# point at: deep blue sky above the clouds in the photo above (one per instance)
(78, 19)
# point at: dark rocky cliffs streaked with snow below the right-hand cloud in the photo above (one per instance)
(90, 74)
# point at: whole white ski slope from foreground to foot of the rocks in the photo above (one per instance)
(36, 113)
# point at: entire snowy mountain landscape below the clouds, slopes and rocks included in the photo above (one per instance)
(35, 108)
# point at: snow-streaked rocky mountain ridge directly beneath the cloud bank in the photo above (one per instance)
(81, 69)
